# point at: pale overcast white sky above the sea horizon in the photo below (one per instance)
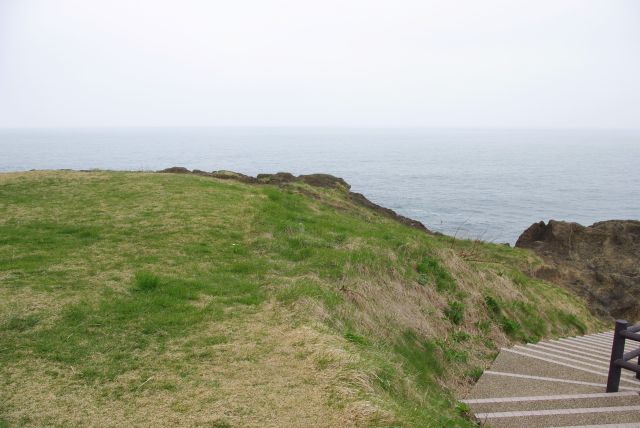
(336, 63)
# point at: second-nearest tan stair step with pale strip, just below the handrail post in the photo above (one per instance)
(545, 402)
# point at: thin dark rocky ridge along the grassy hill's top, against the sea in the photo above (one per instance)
(316, 180)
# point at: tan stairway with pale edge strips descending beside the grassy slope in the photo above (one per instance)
(558, 383)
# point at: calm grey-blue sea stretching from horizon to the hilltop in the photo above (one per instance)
(483, 184)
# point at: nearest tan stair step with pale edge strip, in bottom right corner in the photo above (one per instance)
(561, 417)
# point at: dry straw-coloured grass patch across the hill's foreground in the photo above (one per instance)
(272, 372)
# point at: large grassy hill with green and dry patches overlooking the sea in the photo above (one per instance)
(164, 299)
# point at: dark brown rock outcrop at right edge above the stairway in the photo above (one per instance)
(600, 262)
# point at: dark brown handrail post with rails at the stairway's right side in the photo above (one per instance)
(620, 360)
